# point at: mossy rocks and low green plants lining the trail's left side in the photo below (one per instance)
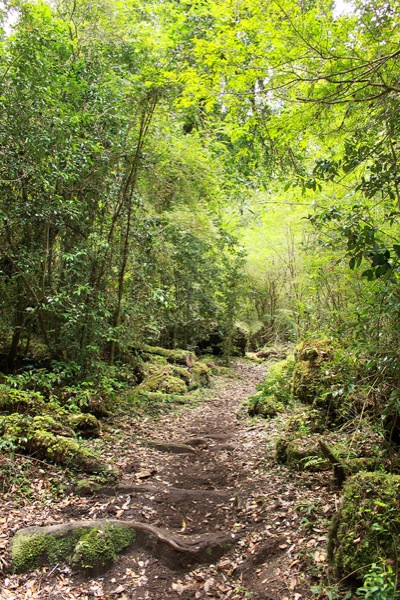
(55, 416)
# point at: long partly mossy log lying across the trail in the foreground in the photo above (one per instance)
(93, 544)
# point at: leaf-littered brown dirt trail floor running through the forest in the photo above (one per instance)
(227, 481)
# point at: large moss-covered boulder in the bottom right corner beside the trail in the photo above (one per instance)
(367, 528)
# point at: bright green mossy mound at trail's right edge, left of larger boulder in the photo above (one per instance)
(274, 393)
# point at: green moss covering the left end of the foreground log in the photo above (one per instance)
(91, 549)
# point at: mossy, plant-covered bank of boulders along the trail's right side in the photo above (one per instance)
(340, 416)
